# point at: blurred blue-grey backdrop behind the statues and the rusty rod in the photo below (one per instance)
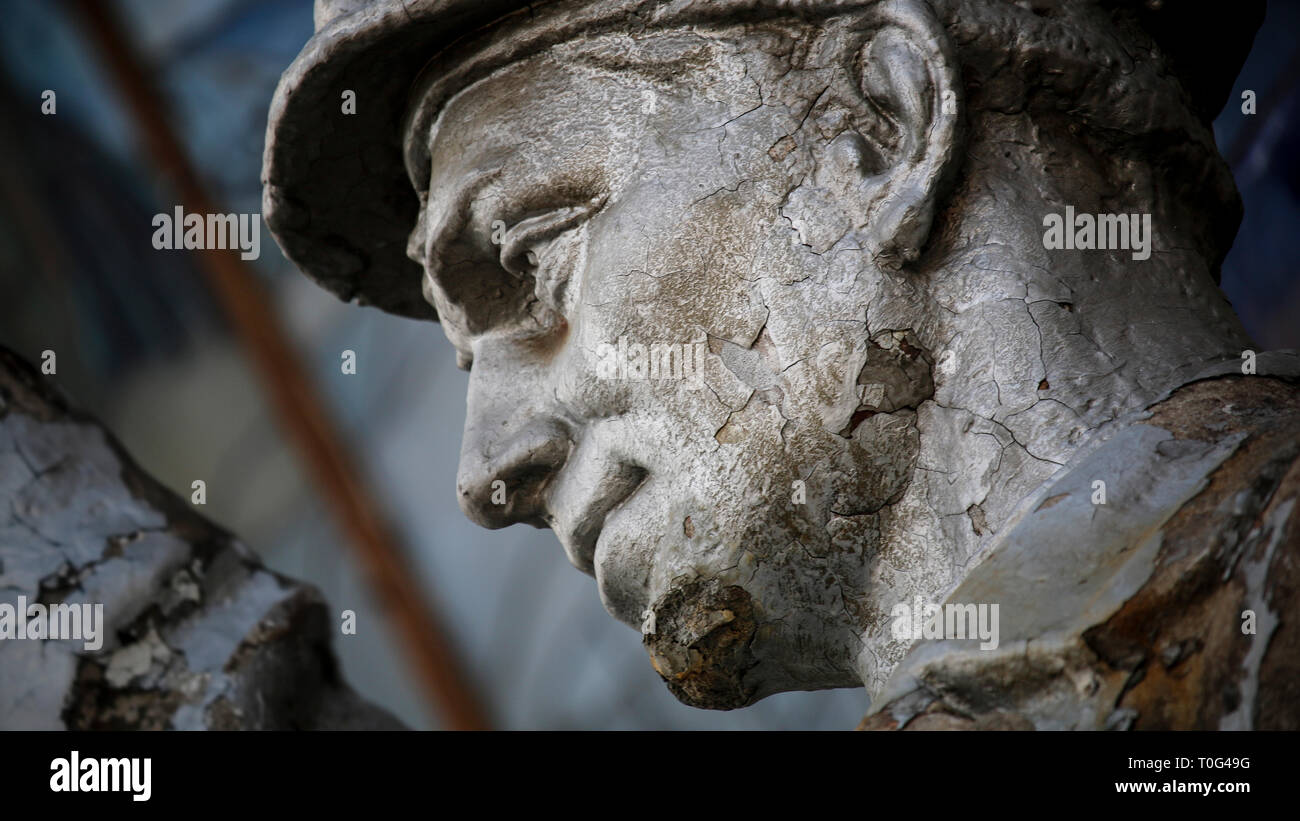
(145, 345)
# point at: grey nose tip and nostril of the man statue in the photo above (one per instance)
(501, 484)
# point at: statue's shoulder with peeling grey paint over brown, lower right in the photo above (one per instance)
(1150, 587)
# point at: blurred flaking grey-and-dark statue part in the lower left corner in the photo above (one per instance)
(124, 610)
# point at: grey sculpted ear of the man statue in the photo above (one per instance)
(905, 145)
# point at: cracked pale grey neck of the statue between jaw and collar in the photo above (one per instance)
(1035, 351)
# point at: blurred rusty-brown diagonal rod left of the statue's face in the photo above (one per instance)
(300, 409)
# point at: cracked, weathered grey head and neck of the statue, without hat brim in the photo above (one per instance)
(844, 207)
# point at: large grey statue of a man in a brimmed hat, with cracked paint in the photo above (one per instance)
(865, 344)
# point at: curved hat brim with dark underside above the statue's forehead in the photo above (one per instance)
(336, 192)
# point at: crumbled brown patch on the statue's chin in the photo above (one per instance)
(700, 645)
